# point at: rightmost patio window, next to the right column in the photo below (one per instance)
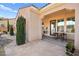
(70, 25)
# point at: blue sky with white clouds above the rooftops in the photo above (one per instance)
(9, 10)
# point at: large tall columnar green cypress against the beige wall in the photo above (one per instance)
(20, 34)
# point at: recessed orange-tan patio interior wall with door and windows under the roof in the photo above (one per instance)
(60, 24)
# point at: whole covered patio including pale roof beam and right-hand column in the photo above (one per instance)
(61, 18)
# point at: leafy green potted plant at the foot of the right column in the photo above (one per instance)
(70, 48)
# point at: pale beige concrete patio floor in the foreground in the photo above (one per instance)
(45, 47)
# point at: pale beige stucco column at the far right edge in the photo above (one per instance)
(77, 28)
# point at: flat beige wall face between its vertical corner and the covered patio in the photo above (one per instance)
(35, 26)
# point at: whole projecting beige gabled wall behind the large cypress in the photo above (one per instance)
(33, 23)
